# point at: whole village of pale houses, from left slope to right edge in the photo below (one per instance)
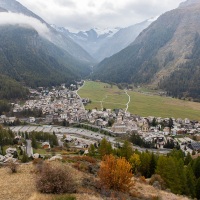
(62, 104)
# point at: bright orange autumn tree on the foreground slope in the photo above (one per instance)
(115, 173)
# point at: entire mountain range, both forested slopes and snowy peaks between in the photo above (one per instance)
(162, 52)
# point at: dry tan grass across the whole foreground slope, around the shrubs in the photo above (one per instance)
(21, 186)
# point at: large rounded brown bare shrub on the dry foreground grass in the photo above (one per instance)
(55, 177)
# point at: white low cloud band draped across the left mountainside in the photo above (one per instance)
(24, 21)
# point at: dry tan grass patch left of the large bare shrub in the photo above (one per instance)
(21, 185)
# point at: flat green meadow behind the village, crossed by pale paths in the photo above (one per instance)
(107, 96)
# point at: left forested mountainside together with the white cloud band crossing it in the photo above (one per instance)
(33, 53)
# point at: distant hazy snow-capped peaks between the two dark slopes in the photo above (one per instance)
(104, 43)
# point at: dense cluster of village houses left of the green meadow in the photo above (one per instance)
(55, 105)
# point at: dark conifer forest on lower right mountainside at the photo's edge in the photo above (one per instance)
(185, 82)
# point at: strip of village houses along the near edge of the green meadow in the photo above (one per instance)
(125, 122)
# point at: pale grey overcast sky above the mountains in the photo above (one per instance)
(85, 14)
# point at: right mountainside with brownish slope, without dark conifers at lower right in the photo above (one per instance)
(159, 51)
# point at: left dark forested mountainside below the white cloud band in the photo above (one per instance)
(30, 59)
